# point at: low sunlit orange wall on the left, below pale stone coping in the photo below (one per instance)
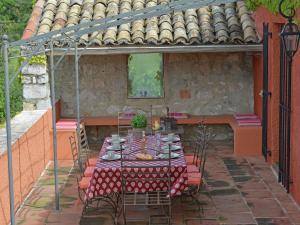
(31, 153)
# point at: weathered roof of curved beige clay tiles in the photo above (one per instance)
(226, 23)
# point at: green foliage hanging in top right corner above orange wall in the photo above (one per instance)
(272, 5)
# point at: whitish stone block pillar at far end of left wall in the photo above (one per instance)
(36, 91)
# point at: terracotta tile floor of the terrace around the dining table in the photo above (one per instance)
(238, 191)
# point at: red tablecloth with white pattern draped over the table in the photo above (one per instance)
(107, 175)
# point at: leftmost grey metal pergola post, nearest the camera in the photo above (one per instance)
(8, 131)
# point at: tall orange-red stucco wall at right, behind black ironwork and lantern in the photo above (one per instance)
(275, 23)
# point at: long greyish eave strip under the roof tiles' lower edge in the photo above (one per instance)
(111, 50)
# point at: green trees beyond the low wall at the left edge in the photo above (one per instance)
(14, 15)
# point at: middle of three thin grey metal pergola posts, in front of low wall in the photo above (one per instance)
(52, 93)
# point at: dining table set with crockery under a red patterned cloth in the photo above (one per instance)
(107, 180)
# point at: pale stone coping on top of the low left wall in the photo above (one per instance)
(20, 124)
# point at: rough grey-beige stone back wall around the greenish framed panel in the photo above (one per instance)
(200, 84)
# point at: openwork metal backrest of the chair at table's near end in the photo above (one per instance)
(145, 171)
